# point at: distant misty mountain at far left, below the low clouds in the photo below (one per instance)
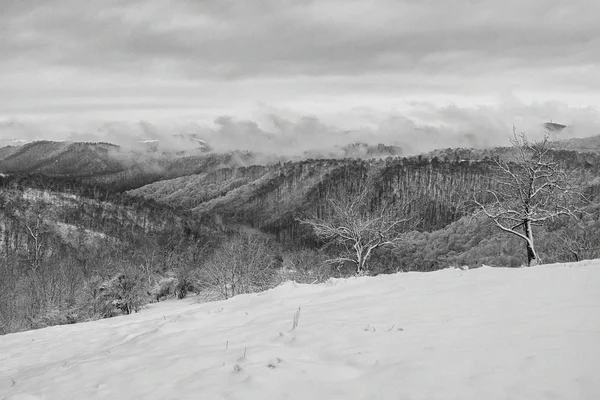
(112, 165)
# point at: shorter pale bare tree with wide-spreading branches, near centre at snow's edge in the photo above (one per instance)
(360, 227)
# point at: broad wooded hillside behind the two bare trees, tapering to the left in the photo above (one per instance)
(437, 192)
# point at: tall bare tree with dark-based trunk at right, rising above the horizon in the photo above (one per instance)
(531, 189)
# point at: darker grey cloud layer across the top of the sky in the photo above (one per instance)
(230, 39)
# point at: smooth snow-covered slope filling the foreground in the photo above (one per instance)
(488, 333)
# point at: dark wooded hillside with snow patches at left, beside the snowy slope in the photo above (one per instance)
(63, 244)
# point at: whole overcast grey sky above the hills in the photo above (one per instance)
(388, 69)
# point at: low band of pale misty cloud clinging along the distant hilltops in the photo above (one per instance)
(421, 128)
